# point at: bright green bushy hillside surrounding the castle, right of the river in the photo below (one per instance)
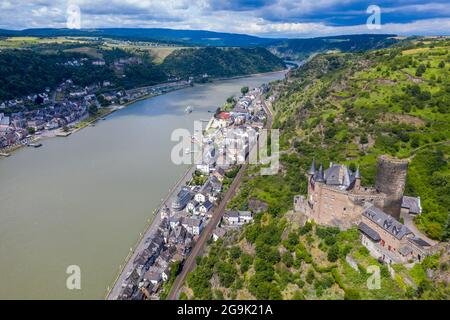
(345, 108)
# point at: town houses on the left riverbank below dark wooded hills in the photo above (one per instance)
(69, 103)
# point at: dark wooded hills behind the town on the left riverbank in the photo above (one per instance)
(31, 71)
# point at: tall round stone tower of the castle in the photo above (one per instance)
(391, 180)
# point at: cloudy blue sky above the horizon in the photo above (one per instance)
(273, 18)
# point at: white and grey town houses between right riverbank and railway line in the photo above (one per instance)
(181, 224)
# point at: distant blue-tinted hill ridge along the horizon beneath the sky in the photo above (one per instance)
(293, 48)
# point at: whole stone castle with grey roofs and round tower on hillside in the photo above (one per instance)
(337, 198)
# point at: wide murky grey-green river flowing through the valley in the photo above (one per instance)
(83, 200)
